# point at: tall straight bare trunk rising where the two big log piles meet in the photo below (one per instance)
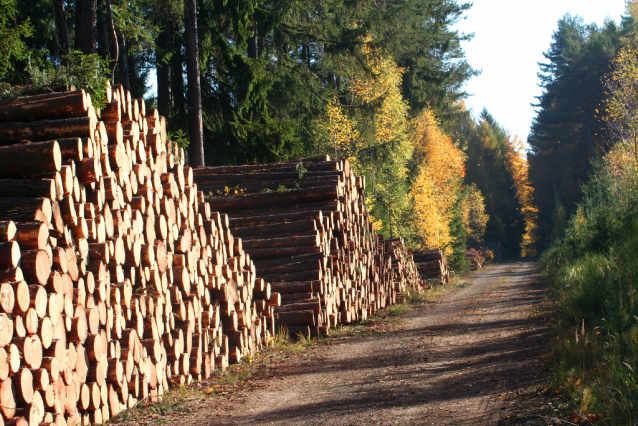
(195, 125)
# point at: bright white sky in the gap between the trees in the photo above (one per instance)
(510, 37)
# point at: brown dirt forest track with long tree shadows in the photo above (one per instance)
(471, 355)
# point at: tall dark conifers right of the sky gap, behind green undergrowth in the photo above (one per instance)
(567, 135)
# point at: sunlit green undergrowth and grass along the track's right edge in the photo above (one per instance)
(593, 271)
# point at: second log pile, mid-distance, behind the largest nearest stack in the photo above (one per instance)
(306, 227)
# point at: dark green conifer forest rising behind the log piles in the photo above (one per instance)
(245, 80)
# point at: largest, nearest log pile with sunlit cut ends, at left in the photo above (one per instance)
(116, 279)
